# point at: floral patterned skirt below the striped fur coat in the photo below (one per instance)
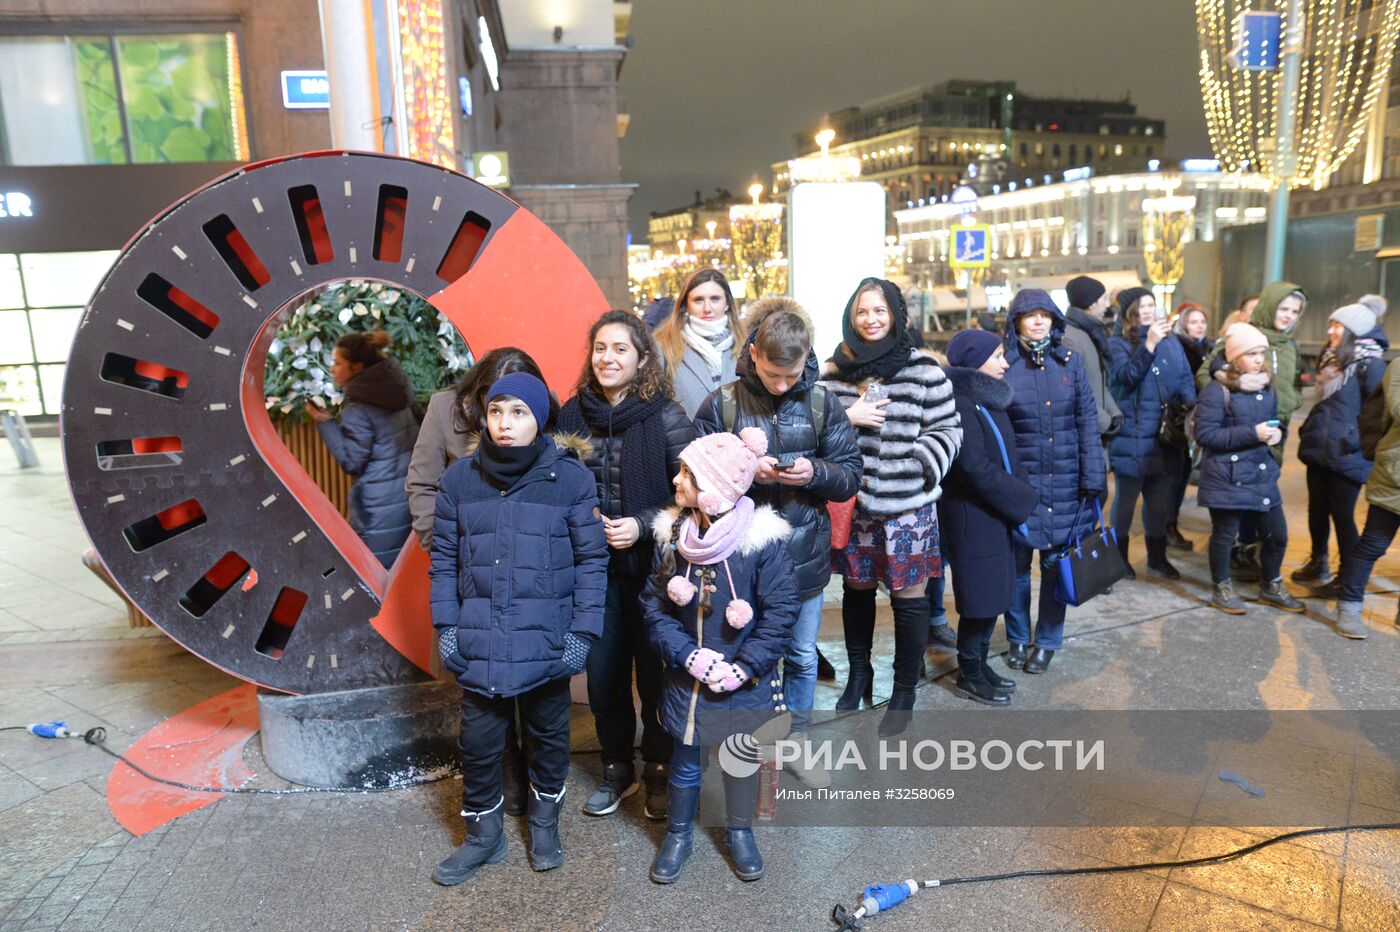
(899, 552)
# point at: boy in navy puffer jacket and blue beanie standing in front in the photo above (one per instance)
(520, 569)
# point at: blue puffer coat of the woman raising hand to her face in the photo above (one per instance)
(1143, 383)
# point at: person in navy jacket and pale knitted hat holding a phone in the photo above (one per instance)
(1237, 423)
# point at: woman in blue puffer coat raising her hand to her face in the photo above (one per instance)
(1147, 373)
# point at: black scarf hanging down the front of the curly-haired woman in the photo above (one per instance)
(645, 471)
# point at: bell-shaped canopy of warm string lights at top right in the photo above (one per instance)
(1346, 61)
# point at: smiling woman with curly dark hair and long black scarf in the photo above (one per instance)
(631, 437)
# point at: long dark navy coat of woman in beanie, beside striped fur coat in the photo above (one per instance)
(982, 502)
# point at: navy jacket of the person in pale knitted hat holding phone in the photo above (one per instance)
(1237, 469)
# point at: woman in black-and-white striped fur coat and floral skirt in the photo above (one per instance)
(909, 433)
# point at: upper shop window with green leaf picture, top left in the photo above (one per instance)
(127, 99)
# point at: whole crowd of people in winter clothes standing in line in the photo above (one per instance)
(671, 524)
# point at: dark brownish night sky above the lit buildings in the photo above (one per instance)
(717, 89)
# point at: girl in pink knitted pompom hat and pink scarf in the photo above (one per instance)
(719, 611)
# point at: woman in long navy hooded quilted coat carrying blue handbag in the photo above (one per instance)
(1058, 437)
